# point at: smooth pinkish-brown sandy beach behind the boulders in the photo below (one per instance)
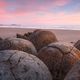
(62, 35)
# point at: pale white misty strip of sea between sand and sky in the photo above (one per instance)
(64, 27)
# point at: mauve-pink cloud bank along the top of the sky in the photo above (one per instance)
(30, 5)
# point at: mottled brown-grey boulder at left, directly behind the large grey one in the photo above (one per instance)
(18, 44)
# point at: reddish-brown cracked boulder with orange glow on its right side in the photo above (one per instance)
(59, 58)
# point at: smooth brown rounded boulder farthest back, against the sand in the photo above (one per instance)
(41, 38)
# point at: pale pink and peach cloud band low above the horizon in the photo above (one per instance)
(46, 18)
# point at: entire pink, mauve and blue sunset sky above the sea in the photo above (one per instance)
(40, 12)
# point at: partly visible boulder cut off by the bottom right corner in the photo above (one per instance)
(74, 73)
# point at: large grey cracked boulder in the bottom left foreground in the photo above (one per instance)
(18, 65)
